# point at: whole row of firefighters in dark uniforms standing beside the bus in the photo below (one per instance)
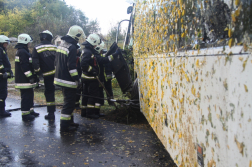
(77, 71)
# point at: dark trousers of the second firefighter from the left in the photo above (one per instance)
(27, 96)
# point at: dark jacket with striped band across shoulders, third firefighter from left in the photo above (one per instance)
(43, 57)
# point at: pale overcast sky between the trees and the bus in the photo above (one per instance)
(107, 12)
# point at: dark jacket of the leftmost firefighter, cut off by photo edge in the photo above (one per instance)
(4, 63)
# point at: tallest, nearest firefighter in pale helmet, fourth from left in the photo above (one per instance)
(66, 75)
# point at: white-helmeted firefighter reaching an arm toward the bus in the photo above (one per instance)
(90, 74)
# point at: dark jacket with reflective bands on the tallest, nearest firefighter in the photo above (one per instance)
(66, 71)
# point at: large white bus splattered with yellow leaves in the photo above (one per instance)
(193, 63)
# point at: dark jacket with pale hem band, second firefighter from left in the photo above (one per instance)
(23, 68)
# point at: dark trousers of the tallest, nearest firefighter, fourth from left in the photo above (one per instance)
(69, 100)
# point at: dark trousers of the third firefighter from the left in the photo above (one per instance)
(49, 93)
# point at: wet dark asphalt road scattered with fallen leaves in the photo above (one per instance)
(96, 143)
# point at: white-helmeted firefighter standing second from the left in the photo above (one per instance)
(25, 78)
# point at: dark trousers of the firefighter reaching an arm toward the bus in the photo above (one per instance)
(91, 88)
